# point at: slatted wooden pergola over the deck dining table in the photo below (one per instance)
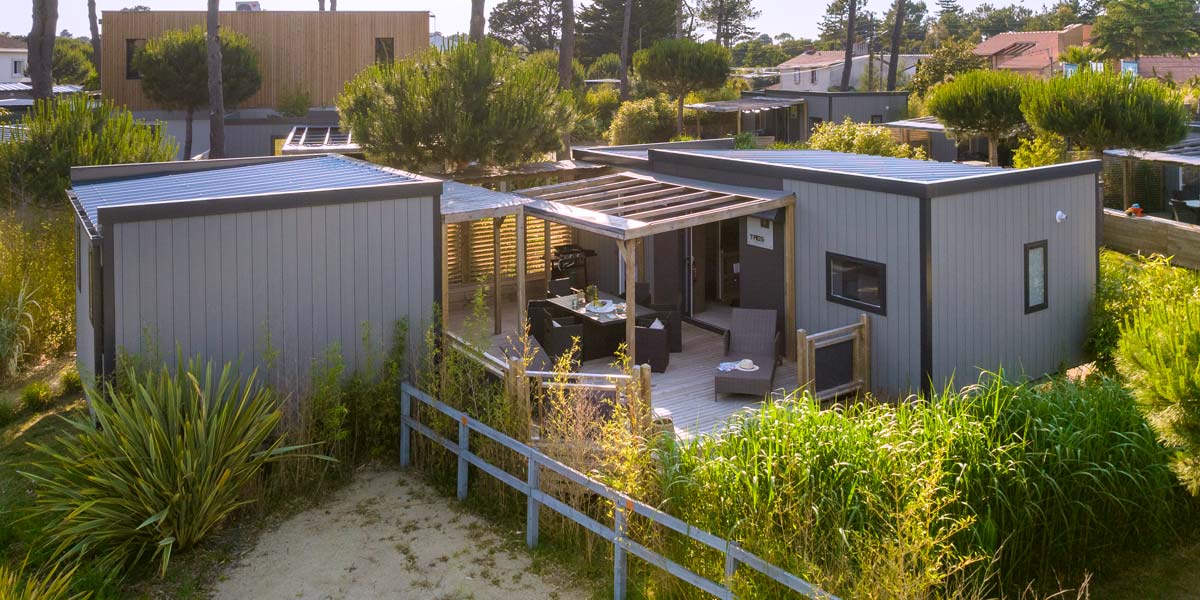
(629, 207)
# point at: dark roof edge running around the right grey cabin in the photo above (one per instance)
(879, 184)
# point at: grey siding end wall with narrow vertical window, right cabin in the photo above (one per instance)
(979, 279)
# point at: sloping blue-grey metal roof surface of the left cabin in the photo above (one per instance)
(278, 177)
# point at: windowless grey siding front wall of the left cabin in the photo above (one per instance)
(295, 281)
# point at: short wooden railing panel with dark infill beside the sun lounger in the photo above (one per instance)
(859, 335)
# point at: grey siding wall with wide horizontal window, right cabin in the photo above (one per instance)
(873, 226)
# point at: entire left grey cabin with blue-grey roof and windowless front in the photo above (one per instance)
(256, 261)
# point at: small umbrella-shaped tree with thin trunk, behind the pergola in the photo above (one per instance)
(682, 67)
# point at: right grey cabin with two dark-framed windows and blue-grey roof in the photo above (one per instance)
(977, 268)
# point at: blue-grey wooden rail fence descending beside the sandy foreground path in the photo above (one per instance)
(623, 507)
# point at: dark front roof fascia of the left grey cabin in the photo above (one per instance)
(278, 201)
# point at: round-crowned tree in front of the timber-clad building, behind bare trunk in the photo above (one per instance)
(176, 75)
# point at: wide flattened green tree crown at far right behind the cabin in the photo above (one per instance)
(1099, 111)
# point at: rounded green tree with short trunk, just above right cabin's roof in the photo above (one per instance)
(982, 104)
